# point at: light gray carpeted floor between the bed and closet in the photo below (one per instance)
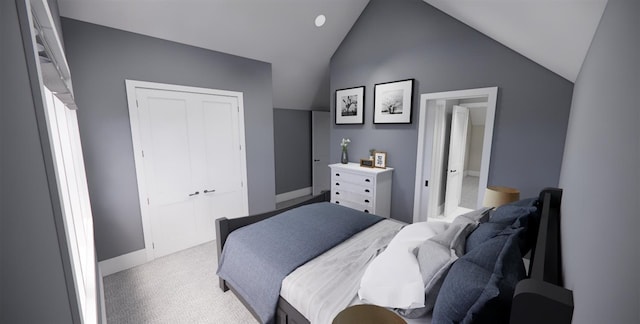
(179, 288)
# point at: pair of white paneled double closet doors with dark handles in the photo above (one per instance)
(193, 164)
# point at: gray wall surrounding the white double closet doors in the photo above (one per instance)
(101, 59)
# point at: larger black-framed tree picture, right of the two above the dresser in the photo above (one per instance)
(392, 102)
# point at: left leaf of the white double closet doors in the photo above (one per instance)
(164, 130)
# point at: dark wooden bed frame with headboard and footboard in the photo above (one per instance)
(540, 298)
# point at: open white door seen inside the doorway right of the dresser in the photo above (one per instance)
(457, 148)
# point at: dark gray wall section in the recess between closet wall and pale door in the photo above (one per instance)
(292, 143)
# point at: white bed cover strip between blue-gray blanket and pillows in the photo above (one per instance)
(324, 286)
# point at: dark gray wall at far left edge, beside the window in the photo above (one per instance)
(32, 281)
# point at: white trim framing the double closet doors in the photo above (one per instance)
(131, 86)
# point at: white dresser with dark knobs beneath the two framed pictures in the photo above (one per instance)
(365, 189)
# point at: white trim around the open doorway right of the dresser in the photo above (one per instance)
(425, 132)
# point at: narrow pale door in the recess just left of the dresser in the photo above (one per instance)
(320, 151)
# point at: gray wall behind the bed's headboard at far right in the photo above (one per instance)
(600, 174)
